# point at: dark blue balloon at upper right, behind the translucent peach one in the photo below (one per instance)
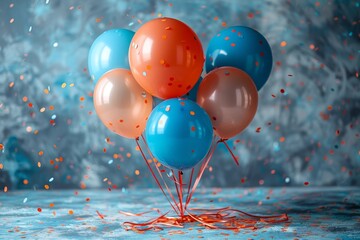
(243, 48)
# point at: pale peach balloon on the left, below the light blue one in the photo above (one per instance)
(122, 105)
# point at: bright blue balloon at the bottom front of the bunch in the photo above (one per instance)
(179, 133)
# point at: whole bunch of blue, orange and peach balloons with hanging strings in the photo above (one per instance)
(164, 59)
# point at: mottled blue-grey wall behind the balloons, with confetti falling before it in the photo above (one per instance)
(51, 137)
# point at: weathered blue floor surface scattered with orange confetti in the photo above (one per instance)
(315, 213)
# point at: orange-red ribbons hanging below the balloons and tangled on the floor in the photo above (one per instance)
(223, 218)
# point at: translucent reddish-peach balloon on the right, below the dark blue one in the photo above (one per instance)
(230, 98)
